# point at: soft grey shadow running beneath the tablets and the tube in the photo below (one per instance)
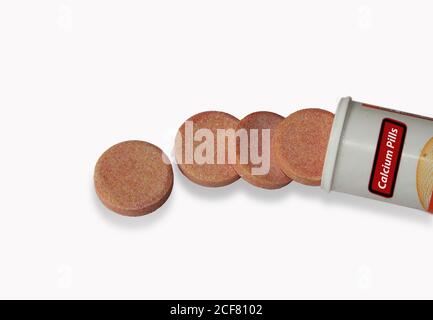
(294, 189)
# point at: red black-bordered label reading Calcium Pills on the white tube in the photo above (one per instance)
(387, 159)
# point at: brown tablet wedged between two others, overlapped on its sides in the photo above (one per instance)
(262, 170)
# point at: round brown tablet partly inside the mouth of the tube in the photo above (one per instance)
(300, 143)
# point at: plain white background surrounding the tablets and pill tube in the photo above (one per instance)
(79, 76)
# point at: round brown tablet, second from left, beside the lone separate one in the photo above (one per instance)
(206, 149)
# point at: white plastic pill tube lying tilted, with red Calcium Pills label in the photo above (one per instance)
(381, 154)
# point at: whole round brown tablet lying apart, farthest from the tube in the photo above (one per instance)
(133, 178)
